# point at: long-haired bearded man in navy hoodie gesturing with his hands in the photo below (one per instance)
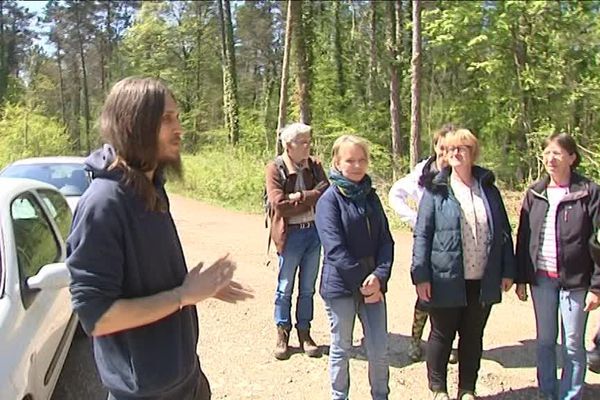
(130, 285)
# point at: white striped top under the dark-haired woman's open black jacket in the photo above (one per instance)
(547, 254)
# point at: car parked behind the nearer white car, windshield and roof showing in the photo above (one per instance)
(67, 174)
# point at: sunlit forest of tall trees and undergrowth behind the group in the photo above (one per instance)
(392, 71)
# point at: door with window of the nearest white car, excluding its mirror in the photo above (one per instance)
(46, 316)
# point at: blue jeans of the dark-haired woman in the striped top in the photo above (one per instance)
(548, 301)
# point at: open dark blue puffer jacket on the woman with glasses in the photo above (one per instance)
(438, 251)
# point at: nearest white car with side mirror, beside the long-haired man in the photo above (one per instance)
(37, 322)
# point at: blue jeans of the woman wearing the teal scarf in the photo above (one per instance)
(342, 312)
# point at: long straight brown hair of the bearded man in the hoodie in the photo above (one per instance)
(130, 122)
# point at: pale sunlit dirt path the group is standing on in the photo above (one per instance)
(236, 340)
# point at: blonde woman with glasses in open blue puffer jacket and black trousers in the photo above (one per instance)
(462, 260)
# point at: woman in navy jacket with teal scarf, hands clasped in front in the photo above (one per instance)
(358, 255)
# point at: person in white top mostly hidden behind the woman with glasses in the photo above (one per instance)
(404, 197)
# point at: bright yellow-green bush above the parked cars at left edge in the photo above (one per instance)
(27, 133)
